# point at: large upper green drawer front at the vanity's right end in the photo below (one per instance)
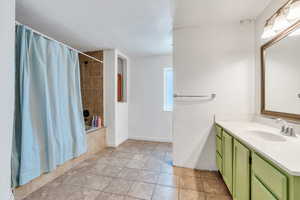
(270, 177)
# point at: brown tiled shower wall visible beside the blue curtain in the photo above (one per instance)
(92, 84)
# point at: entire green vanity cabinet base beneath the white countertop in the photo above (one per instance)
(250, 176)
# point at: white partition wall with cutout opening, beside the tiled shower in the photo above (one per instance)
(115, 113)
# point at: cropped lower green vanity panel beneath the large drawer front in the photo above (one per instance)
(259, 192)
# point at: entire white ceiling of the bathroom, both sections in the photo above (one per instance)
(136, 27)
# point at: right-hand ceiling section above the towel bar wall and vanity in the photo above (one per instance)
(199, 12)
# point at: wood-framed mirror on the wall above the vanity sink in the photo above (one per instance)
(281, 75)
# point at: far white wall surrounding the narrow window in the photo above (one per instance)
(147, 120)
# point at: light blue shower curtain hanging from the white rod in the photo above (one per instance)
(49, 126)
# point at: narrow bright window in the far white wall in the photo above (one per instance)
(168, 89)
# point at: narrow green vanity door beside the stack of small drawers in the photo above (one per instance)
(227, 142)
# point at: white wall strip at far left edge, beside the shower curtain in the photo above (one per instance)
(7, 37)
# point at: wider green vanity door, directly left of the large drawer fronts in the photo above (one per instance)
(241, 172)
